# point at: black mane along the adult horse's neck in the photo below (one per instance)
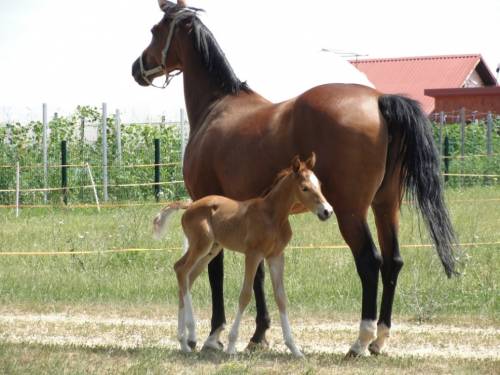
(212, 55)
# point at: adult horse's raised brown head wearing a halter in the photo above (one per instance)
(161, 56)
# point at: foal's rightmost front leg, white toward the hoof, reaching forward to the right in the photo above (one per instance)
(276, 268)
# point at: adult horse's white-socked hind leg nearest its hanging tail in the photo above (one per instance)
(387, 221)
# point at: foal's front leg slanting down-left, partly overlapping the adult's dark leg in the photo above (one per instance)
(252, 261)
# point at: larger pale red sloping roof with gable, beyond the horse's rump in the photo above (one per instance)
(412, 75)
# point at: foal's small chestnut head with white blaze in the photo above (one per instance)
(308, 188)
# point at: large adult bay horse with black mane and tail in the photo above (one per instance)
(371, 149)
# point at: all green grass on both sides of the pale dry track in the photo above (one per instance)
(319, 282)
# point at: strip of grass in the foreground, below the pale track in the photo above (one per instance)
(37, 359)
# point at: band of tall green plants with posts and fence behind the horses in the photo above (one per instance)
(90, 156)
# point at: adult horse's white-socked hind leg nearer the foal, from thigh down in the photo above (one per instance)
(356, 233)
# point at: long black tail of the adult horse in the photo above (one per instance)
(421, 177)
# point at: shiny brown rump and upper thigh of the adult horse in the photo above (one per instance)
(343, 125)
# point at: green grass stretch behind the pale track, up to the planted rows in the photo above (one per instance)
(317, 280)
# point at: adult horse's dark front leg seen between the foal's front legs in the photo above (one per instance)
(262, 320)
